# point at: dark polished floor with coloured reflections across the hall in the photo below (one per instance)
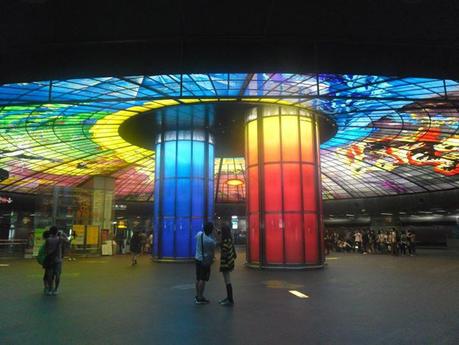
(356, 299)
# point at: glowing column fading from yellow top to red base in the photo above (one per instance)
(284, 198)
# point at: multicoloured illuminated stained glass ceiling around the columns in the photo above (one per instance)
(394, 135)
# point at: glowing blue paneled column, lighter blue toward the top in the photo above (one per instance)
(184, 185)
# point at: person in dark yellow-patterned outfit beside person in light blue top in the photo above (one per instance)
(228, 255)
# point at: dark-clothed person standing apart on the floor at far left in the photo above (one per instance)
(53, 261)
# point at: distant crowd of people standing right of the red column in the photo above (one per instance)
(364, 241)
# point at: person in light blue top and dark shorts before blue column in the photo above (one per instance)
(205, 247)
